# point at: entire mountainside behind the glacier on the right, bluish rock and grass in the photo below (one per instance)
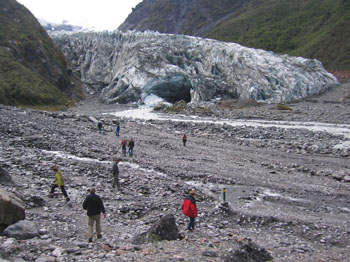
(310, 28)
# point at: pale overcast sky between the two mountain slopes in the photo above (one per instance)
(99, 14)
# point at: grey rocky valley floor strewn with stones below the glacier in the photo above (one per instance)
(288, 189)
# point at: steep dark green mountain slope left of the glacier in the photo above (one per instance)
(33, 70)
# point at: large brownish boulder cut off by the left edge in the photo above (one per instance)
(11, 209)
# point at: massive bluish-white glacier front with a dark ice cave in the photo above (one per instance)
(128, 67)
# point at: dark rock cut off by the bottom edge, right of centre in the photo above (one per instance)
(248, 252)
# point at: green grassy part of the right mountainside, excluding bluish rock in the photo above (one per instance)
(310, 28)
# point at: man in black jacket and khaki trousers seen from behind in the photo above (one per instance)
(94, 206)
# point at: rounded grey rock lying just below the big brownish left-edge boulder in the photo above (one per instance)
(22, 230)
